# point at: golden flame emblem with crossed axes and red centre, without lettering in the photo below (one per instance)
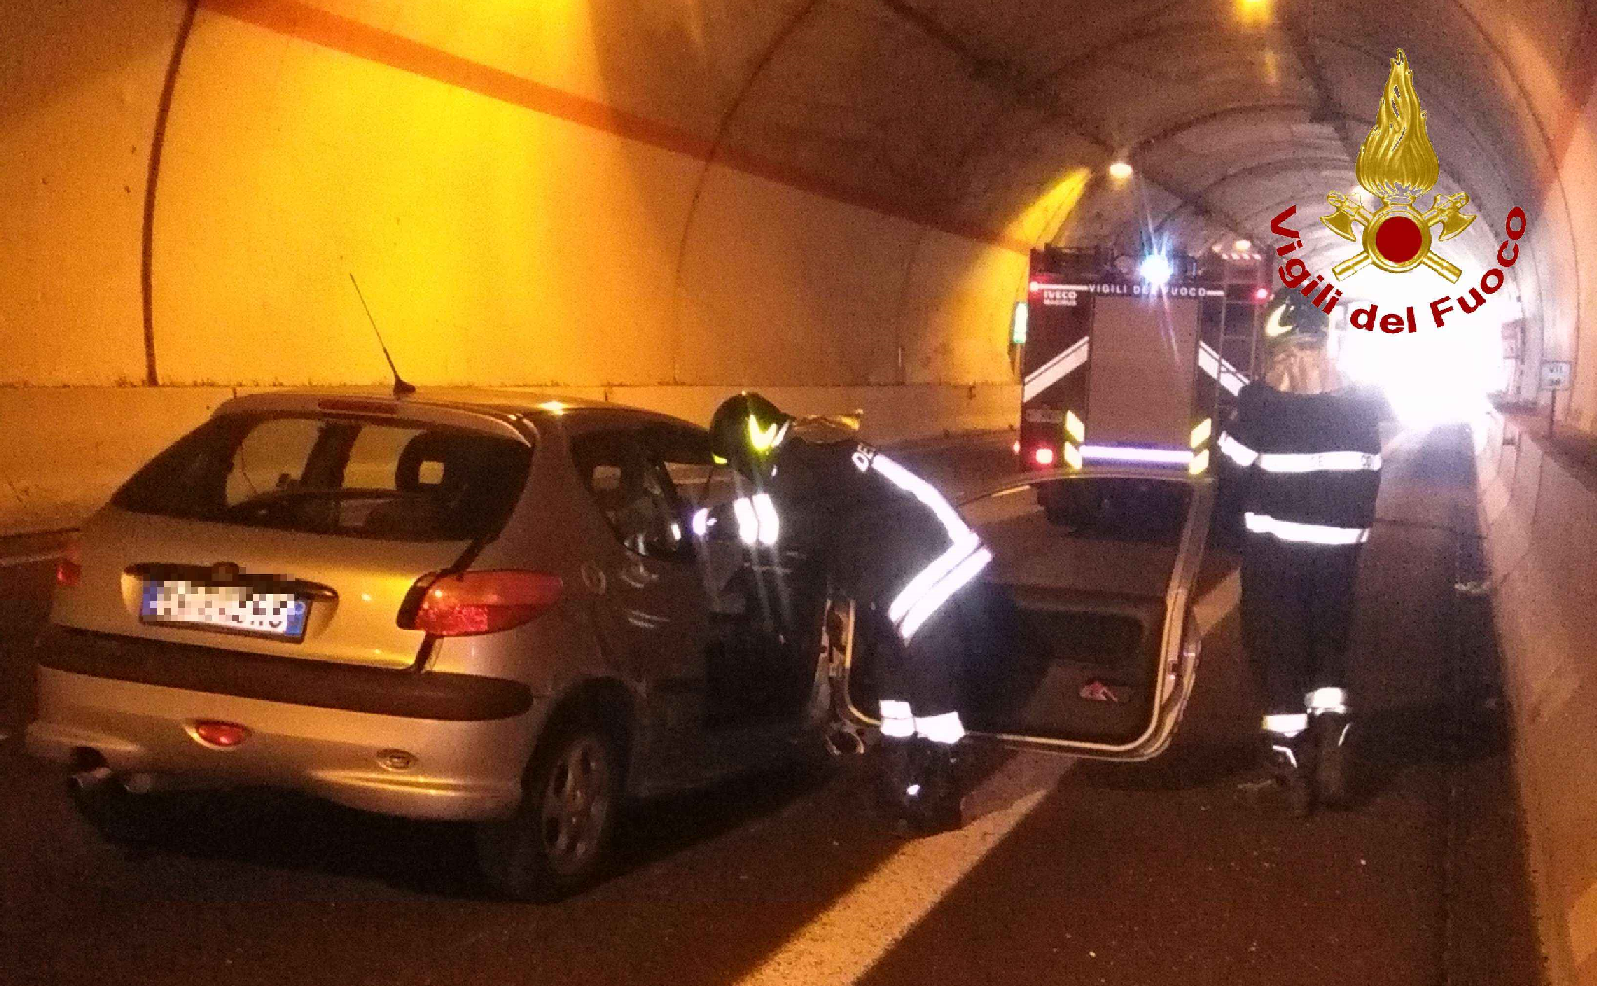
(1397, 164)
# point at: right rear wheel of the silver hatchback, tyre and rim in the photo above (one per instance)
(558, 841)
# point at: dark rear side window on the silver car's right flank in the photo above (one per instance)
(632, 491)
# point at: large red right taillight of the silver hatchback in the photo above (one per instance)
(478, 602)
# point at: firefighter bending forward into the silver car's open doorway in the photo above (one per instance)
(897, 546)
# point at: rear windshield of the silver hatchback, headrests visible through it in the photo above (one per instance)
(336, 475)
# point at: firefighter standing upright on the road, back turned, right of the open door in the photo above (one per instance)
(1304, 464)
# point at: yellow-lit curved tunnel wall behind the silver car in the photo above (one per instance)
(563, 202)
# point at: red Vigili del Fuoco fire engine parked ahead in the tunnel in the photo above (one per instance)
(1131, 362)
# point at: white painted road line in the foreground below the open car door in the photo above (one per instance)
(842, 944)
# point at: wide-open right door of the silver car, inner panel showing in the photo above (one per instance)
(1080, 630)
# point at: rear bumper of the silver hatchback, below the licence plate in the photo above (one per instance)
(461, 769)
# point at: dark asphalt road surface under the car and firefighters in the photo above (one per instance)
(1069, 873)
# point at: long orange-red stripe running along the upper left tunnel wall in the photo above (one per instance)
(398, 52)
